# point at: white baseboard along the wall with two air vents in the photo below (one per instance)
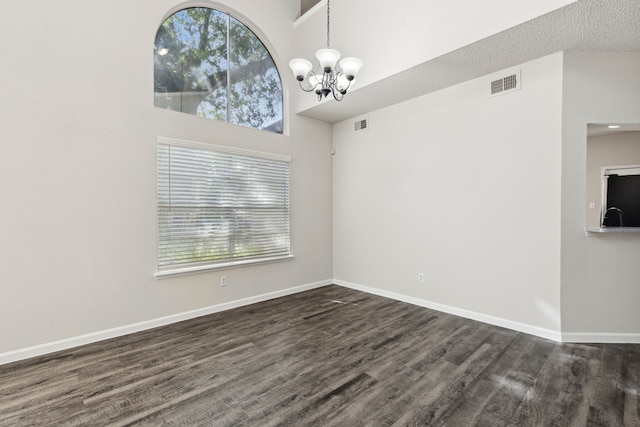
(492, 320)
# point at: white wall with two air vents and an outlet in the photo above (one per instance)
(463, 188)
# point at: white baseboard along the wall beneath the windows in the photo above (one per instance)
(65, 344)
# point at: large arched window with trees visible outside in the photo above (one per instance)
(209, 64)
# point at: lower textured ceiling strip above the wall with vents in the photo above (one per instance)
(585, 25)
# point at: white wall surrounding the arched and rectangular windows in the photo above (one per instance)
(77, 171)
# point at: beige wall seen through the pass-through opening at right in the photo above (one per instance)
(607, 150)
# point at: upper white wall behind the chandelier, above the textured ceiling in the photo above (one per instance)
(391, 38)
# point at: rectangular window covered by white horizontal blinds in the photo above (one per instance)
(220, 207)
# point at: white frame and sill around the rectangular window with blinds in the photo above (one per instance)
(198, 267)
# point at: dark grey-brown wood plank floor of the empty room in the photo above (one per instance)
(327, 357)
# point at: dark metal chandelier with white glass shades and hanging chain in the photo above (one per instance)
(328, 78)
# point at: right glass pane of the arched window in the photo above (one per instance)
(255, 93)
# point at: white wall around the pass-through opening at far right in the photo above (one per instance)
(600, 275)
